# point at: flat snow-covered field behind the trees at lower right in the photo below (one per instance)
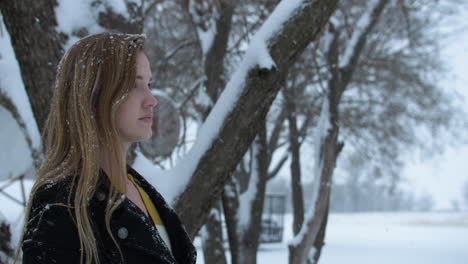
(384, 238)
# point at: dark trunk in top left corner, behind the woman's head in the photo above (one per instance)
(38, 48)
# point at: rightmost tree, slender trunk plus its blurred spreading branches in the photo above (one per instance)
(361, 38)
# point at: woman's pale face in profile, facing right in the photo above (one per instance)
(134, 116)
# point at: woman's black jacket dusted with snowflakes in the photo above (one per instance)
(51, 235)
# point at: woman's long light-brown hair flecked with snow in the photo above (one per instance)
(93, 79)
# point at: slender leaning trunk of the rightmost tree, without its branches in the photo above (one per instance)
(312, 230)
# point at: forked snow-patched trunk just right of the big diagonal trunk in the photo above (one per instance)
(244, 196)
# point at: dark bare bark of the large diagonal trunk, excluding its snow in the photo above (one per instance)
(241, 125)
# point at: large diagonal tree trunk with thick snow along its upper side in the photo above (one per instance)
(235, 118)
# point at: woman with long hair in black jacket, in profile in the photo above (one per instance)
(87, 205)
